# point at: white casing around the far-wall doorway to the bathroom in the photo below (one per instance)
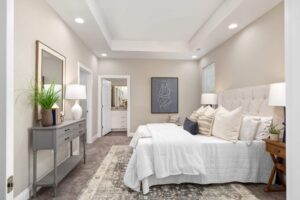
(127, 77)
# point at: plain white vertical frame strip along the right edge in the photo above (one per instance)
(292, 71)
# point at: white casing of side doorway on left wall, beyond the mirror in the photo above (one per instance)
(90, 99)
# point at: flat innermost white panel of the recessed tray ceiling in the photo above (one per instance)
(155, 20)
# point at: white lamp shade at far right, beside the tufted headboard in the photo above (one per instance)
(277, 94)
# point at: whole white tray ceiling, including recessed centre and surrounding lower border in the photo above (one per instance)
(158, 29)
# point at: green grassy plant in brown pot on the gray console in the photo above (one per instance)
(45, 98)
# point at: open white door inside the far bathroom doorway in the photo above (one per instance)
(106, 107)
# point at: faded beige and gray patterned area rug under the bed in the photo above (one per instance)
(107, 184)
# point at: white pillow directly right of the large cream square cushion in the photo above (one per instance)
(249, 128)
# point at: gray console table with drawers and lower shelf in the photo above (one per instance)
(51, 138)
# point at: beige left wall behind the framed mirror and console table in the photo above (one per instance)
(35, 20)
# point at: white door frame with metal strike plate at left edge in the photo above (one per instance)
(7, 95)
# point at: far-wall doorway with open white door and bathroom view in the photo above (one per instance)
(114, 104)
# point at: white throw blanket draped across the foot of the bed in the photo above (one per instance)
(174, 151)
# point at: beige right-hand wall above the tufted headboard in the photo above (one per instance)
(253, 56)
